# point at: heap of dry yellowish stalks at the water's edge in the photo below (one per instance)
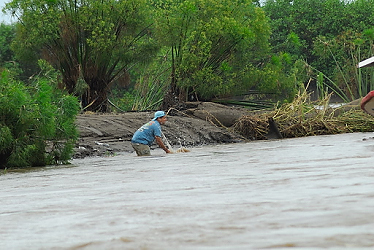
(304, 118)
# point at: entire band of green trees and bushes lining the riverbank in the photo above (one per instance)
(150, 54)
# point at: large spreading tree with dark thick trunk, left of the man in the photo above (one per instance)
(90, 41)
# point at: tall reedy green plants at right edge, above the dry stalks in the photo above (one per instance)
(346, 51)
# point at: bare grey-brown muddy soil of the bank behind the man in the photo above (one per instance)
(197, 124)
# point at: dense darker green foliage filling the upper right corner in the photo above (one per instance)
(331, 37)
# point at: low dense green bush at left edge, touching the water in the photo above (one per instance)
(37, 123)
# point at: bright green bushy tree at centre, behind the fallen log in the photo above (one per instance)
(214, 45)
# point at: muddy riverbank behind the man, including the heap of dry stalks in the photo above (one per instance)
(205, 123)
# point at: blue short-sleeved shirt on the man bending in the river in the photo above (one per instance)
(146, 133)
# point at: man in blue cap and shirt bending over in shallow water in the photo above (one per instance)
(146, 134)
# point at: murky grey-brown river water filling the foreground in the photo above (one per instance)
(314, 192)
